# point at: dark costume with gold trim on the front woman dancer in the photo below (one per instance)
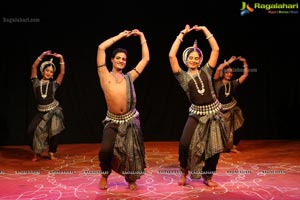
(204, 135)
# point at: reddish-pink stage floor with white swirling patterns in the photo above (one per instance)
(265, 169)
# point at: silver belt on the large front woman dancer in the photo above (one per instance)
(206, 109)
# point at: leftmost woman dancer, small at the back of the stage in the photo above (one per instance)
(47, 123)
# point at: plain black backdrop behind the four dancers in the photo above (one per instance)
(269, 97)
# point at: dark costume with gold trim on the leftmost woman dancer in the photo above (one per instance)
(48, 120)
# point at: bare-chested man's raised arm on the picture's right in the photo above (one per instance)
(135, 72)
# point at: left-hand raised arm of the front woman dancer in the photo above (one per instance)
(174, 49)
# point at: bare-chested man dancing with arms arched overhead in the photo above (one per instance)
(122, 147)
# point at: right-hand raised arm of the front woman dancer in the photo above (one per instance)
(214, 55)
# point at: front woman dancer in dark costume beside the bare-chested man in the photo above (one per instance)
(204, 136)
